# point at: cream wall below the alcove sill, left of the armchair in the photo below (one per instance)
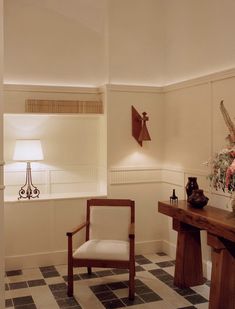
(40, 227)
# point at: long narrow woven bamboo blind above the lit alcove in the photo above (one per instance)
(63, 106)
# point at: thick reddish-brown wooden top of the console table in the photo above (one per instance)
(217, 221)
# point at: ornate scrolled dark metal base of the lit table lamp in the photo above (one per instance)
(28, 190)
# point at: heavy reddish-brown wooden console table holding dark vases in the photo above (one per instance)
(220, 227)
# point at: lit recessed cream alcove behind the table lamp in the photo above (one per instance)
(74, 147)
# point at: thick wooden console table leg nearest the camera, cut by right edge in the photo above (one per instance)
(222, 291)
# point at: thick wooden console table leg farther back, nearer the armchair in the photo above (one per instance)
(188, 268)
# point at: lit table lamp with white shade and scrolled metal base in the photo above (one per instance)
(28, 151)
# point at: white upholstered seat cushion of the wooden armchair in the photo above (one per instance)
(103, 250)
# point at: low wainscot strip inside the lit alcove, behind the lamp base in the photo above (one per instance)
(49, 180)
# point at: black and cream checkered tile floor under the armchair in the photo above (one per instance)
(45, 287)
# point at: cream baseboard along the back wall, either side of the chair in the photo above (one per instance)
(60, 257)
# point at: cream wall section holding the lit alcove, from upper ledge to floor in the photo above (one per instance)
(74, 168)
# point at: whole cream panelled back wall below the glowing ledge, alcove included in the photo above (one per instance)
(131, 169)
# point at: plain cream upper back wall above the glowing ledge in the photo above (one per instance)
(99, 41)
